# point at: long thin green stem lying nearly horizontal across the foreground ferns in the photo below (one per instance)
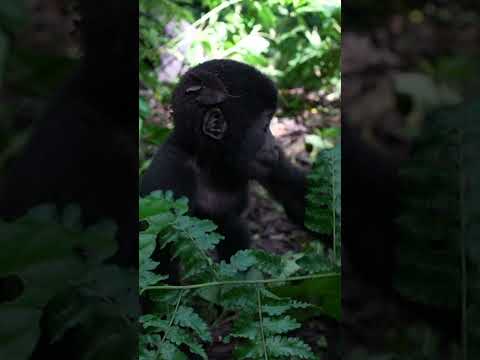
(237, 282)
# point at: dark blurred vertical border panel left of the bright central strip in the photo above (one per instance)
(68, 179)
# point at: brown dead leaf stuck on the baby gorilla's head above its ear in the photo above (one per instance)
(212, 91)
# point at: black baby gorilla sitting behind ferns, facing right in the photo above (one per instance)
(222, 111)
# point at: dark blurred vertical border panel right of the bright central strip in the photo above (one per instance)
(410, 108)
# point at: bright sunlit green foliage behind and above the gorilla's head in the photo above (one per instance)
(296, 41)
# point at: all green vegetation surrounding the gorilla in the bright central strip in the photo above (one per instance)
(258, 302)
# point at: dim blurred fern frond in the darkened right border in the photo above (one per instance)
(439, 257)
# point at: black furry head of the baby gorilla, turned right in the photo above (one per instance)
(222, 110)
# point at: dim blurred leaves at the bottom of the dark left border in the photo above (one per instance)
(61, 291)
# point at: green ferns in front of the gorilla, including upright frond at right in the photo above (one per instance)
(249, 289)
